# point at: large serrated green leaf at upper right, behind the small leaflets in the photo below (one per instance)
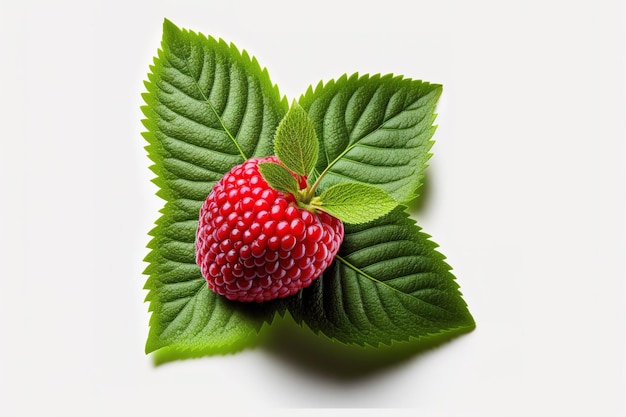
(375, 130)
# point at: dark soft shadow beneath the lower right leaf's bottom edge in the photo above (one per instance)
(317, 354)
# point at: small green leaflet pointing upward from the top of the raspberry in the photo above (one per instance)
(295, 143)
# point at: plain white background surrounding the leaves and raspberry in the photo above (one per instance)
(525, 195)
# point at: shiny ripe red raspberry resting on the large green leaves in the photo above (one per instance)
(254, 243)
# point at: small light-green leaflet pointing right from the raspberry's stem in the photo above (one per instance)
(353, 202)
